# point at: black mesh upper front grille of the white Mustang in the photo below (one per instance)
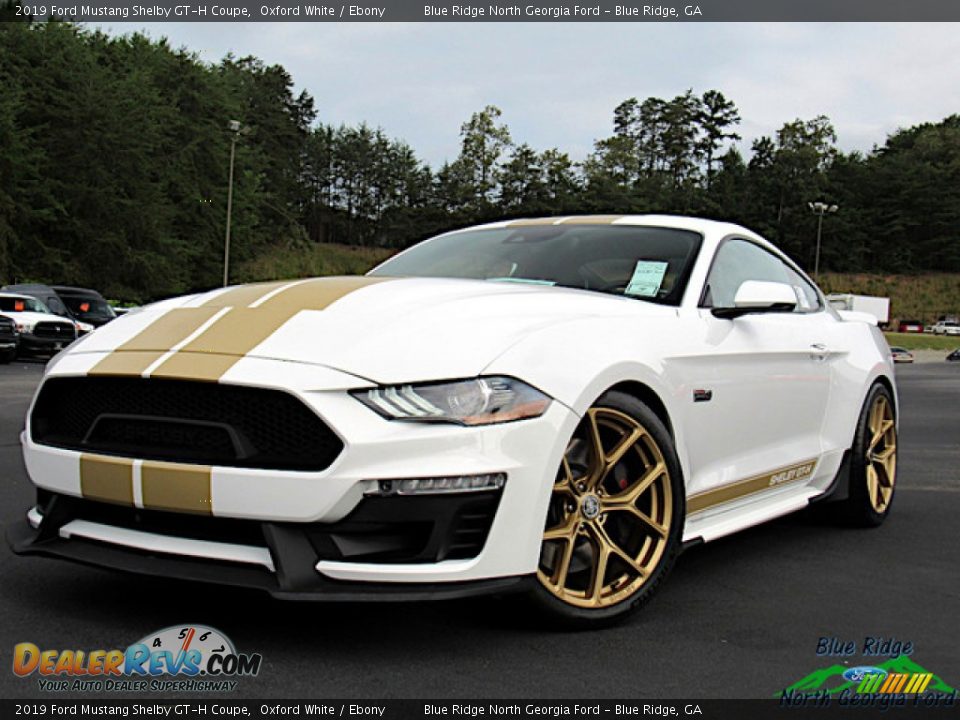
(183, 421)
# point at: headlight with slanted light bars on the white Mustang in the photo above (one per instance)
(480, 401)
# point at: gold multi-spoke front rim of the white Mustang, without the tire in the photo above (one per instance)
(610, 513)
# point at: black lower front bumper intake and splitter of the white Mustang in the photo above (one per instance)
(279, 558)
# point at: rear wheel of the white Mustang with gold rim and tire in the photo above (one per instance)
(873, 467)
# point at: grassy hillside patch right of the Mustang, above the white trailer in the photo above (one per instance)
(913, 297)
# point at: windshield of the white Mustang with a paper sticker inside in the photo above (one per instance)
(646, 263)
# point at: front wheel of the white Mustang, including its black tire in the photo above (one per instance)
(615, 520)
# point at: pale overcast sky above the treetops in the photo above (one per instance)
(557, 83)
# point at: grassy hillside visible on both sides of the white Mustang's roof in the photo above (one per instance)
(915, 297)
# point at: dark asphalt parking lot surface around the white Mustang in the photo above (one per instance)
(739, 618)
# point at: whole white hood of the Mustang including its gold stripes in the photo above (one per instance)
(381, 329)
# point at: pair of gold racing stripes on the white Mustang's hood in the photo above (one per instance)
(168, 349)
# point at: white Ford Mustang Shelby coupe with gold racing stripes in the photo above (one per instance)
(556, 406)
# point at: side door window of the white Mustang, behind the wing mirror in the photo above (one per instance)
(740, 260)
